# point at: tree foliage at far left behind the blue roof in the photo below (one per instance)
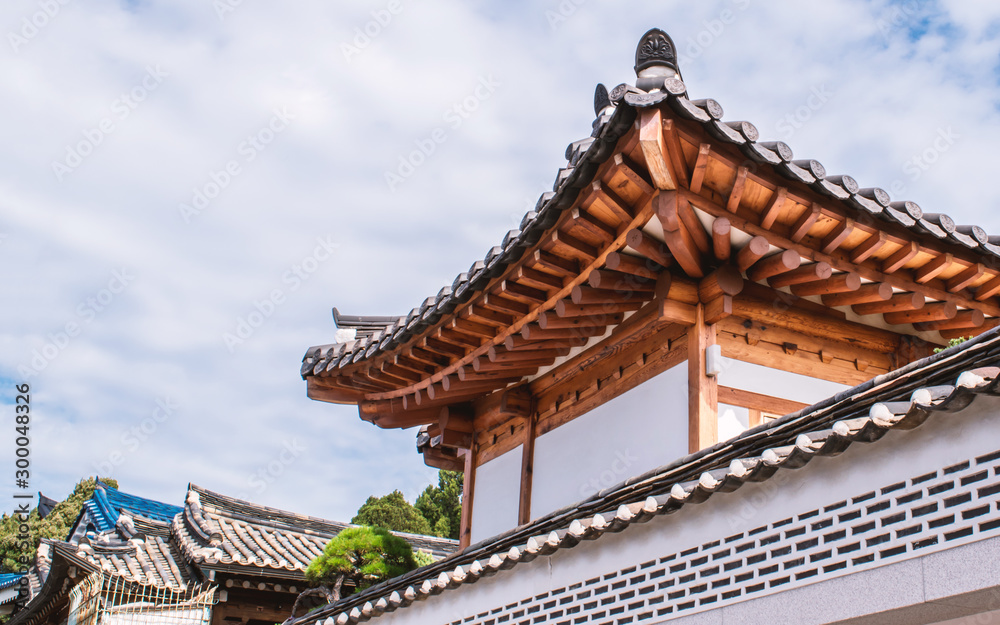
(16, 553)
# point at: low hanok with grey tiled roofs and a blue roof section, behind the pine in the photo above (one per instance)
(215, 561)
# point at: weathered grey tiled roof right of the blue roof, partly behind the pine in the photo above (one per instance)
(224, 533)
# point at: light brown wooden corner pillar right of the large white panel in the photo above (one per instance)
(703, 393)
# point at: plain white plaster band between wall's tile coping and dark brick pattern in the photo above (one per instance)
(945, 440)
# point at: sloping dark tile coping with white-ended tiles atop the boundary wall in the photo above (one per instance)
(938, 387)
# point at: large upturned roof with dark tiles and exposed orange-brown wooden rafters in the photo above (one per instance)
(657, 152)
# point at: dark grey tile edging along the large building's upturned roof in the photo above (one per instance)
(616, 112)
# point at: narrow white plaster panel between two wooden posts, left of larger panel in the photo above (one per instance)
(496, 496)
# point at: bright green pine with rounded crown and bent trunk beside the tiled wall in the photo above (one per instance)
(359, 556)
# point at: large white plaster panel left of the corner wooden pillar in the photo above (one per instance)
(640, 430)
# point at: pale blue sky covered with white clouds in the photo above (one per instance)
(174, 169)
